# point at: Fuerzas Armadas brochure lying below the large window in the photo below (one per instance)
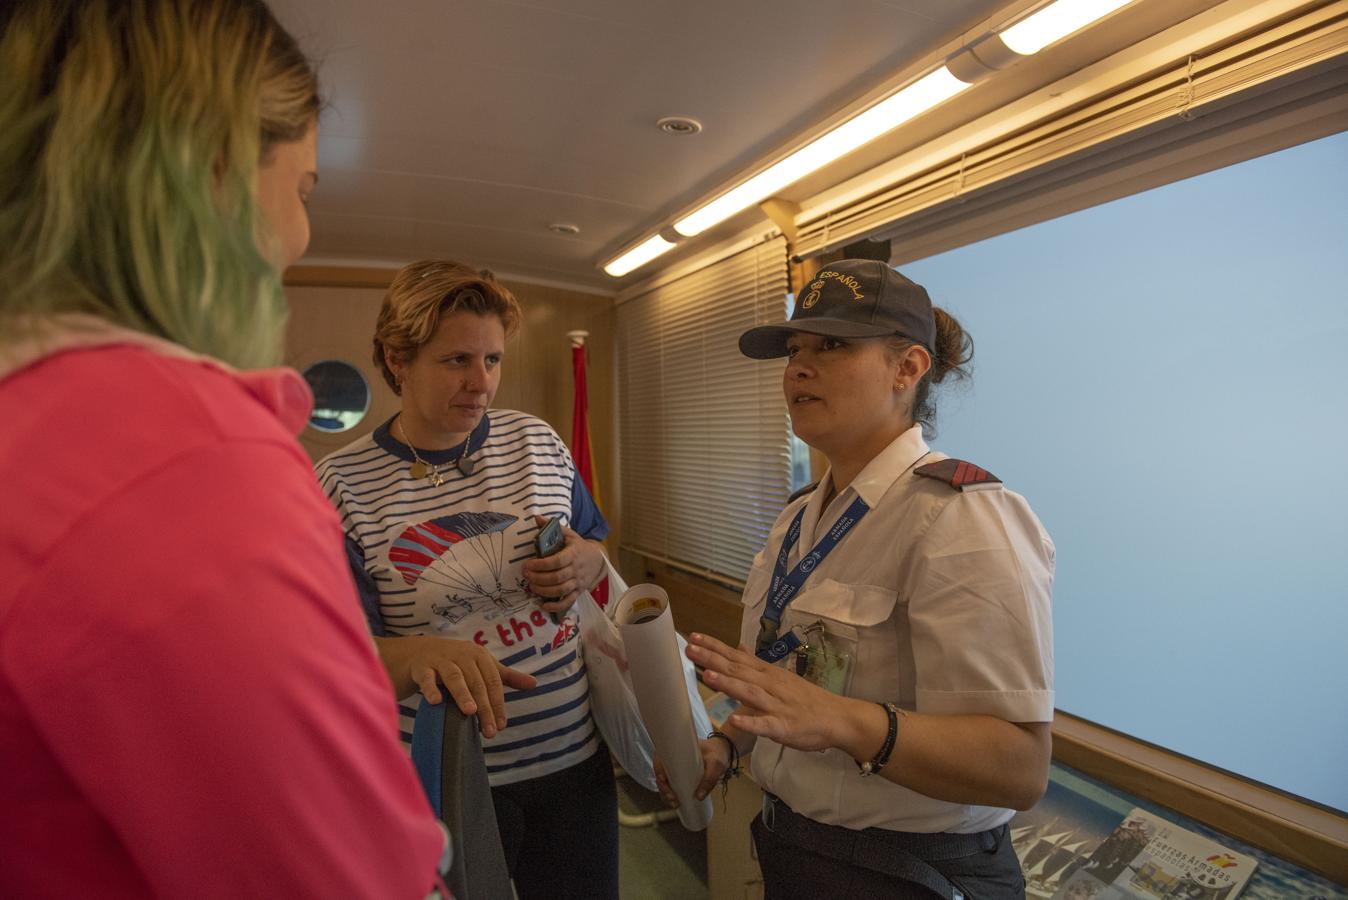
(1149, 859)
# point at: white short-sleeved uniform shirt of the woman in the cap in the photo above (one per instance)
(946, 599)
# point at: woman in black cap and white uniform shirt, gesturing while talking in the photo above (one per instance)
(896, 672)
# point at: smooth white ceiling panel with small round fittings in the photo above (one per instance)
(463, 129)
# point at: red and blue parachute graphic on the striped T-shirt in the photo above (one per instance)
(446, 550)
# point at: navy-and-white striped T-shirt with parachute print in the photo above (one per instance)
(448, 561)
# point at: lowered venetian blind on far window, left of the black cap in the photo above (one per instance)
(704, 430)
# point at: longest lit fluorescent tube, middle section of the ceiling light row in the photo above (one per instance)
(880, 119)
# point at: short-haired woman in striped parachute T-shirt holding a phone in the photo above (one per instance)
(443, 506)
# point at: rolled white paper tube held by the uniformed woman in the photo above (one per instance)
(657, 670)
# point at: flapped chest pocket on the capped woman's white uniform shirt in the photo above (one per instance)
(854, 619)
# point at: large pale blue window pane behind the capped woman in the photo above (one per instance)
(1164, 379)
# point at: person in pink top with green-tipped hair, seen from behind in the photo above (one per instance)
(191, 704)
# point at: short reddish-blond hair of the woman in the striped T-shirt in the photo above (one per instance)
(424, 293)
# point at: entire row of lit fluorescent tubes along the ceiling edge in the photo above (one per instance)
(974, 63)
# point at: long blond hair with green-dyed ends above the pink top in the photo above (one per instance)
(131, 135)
